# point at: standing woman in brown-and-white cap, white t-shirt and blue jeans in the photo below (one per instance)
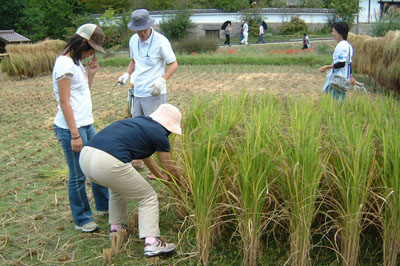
(73, 124)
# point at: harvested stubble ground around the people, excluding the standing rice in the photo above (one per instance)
(35, 220)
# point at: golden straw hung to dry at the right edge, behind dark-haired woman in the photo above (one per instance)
(378, 57)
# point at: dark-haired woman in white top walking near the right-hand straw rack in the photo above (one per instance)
(342, 58)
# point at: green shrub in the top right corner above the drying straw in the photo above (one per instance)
(386, 22)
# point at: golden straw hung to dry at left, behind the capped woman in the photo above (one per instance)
(30, 60)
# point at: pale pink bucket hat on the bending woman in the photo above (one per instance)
(169, 117)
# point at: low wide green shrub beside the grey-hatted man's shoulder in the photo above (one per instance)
(191, 44)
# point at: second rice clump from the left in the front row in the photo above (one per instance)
(252, 159)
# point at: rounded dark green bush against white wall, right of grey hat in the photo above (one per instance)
(176, 27)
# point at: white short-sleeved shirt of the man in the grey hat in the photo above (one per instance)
(150, 58)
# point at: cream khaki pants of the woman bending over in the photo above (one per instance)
(124, 182)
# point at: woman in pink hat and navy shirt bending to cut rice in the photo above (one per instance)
(106, 160)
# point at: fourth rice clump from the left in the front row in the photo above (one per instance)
(352, 167)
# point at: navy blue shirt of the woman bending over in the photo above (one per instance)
(132, 138)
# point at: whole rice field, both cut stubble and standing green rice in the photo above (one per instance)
(274, 172)
